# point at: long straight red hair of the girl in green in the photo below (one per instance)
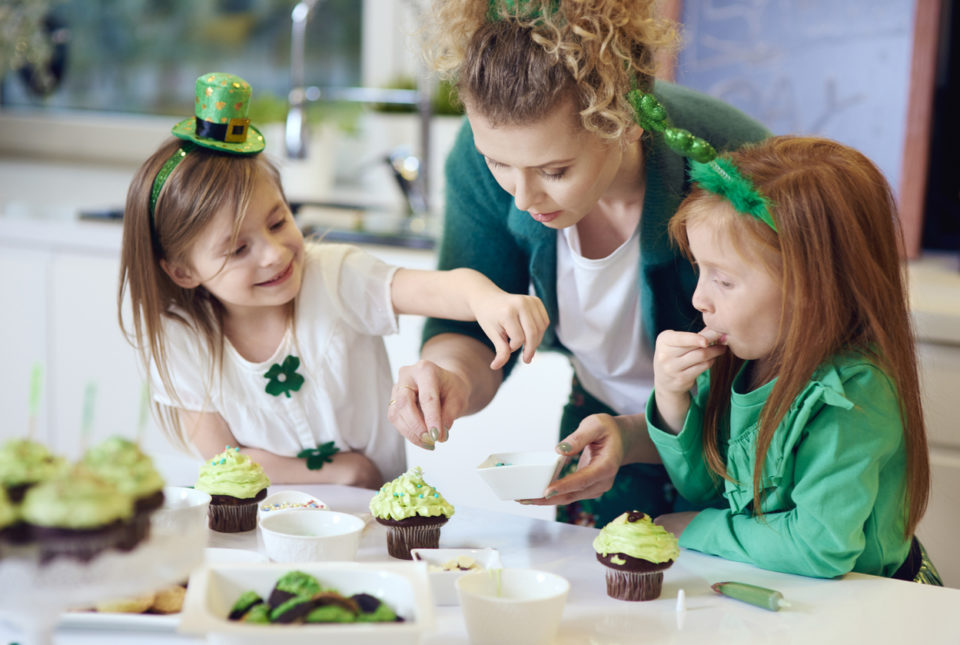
(839, 244)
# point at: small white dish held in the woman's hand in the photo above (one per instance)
(520, 475)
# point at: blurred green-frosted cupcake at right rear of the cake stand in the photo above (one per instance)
(120, 462)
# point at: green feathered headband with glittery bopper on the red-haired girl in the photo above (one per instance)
(715, 174)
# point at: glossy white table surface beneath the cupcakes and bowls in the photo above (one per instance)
(854, 608)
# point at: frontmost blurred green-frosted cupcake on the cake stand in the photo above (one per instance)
(76, 514)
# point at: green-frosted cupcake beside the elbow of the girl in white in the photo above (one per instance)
(235, 484)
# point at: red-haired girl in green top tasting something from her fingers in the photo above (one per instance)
(798, 401)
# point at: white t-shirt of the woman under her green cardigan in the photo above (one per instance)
(599, 322)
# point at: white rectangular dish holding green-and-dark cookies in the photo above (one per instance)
(402, 585)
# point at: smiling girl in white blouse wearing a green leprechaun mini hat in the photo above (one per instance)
(256, 338)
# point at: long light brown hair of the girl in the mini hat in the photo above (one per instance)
(202, 184)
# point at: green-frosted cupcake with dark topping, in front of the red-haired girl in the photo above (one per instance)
(635, 552)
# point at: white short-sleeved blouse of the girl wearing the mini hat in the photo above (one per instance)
(343, 310)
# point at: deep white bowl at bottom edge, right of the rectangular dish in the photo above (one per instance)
(512, 606)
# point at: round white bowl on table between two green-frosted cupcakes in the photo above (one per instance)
(310, 536)
